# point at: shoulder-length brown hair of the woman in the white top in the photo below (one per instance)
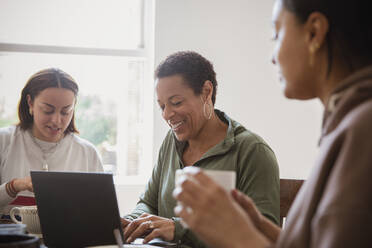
(48, 78)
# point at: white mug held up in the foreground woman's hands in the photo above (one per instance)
(226, 179)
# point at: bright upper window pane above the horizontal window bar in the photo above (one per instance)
(114, 24)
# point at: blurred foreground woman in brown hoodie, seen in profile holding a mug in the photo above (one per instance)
(323, 49)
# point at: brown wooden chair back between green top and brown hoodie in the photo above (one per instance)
(288, 191)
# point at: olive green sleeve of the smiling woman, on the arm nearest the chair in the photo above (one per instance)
(258, 177)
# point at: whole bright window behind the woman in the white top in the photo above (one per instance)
(106, 46)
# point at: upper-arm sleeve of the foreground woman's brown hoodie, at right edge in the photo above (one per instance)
(343, 217)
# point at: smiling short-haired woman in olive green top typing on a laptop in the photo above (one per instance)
(204, 137)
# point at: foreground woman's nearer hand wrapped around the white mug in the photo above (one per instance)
(213, 211)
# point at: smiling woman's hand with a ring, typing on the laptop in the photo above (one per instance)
(149, 226)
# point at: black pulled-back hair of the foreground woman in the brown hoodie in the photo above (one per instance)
(350, 28)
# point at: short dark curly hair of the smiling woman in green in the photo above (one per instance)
(194, 68)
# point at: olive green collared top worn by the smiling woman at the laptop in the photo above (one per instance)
(257, 175)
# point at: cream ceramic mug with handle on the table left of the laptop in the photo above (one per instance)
(29, 217)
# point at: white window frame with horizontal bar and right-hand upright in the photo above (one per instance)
(145, 50)
